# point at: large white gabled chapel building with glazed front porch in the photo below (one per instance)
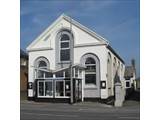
(70, 62)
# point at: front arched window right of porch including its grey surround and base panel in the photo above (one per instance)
(92, 74)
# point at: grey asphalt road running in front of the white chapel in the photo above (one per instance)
(80, 111)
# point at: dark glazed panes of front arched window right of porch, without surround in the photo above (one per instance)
(90, 72)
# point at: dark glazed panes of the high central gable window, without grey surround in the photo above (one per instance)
(64, 47)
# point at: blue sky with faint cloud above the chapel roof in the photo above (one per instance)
(116, 20)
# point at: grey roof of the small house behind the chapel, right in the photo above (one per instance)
(129, 71)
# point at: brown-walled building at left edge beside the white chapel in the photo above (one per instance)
(23, 71)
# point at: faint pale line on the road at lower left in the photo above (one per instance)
(60, 115)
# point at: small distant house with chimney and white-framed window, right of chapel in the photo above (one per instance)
(130, 76)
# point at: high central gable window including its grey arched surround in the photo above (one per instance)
(64, 47)
